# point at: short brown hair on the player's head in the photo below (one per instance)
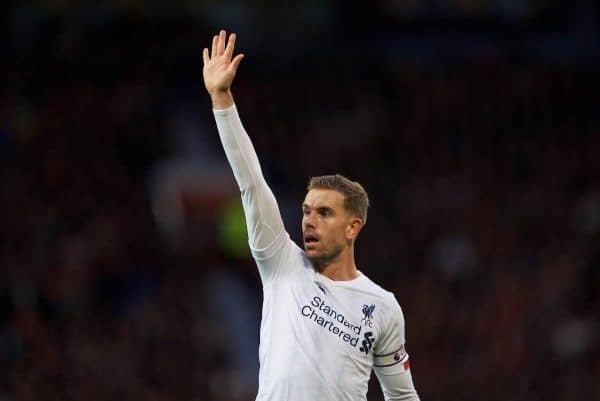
(356, 200)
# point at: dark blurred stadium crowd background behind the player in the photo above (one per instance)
(473, 124)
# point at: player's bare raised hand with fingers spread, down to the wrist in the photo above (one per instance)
(219, 69)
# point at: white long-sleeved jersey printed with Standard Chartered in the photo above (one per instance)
(319, 338)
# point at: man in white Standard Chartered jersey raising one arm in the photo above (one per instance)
(325, 325)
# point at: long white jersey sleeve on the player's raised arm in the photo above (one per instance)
(267, 237)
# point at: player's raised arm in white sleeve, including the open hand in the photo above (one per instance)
(266, 233)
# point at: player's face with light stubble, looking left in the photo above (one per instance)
(327, 226)
